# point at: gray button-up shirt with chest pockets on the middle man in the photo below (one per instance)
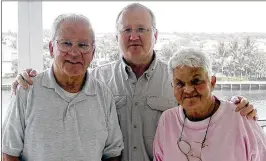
(139, 102)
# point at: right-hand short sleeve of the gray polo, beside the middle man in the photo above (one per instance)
(114, 143)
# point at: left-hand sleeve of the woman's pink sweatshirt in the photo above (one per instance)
(158, 140)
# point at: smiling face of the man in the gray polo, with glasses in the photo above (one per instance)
(72, 38)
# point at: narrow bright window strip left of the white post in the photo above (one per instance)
(9, 49)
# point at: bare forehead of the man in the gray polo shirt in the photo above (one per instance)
(78, 29)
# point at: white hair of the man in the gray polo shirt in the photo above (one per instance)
(71, 17)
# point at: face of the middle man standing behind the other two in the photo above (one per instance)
(136, 36)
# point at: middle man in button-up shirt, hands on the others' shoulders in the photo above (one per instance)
(139, 81)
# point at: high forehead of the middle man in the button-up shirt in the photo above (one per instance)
(135, 17)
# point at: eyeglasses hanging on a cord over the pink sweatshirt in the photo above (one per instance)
(185, 147)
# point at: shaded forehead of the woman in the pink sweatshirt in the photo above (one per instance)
(186, 72)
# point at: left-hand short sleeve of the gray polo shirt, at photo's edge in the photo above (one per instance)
(14, 126)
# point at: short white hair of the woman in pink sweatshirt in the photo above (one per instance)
(192, 58)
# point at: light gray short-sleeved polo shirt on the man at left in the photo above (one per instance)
(43, 124)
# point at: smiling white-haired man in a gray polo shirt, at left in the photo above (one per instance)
(67, 114)
